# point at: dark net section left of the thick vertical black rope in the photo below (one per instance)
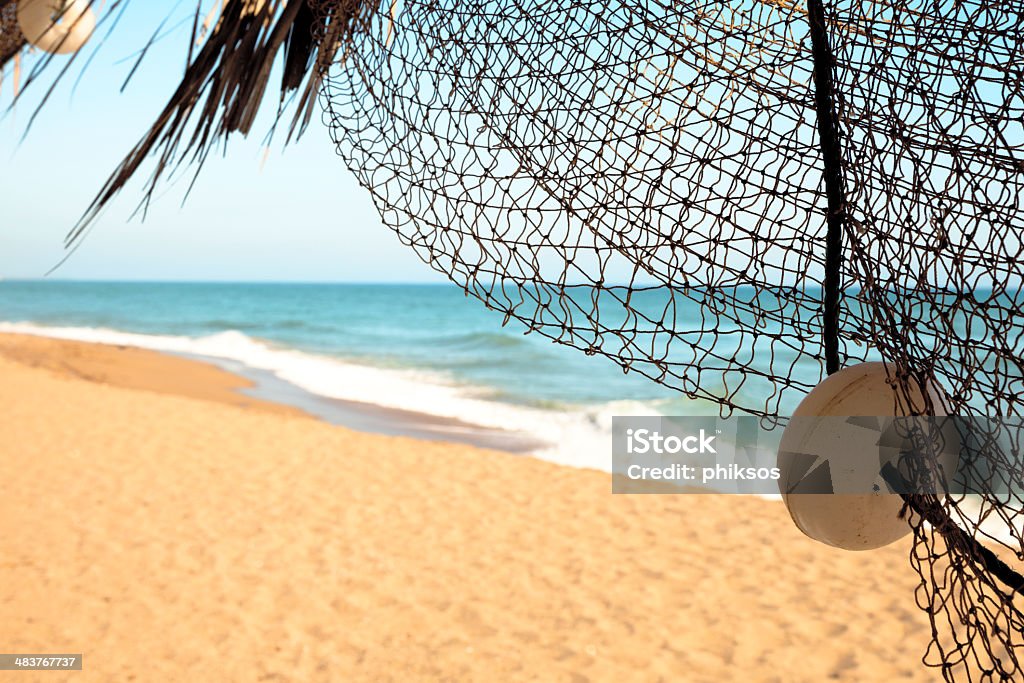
(589, 168)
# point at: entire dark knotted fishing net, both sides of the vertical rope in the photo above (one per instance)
(655, 183)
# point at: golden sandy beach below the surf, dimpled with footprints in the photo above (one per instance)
(169, 529)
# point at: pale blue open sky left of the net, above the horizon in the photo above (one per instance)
(302, 218)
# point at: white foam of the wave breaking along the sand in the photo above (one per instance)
(580, 438)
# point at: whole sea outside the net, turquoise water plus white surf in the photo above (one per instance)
(417, 360)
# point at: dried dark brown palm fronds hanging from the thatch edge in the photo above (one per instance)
(227, 80)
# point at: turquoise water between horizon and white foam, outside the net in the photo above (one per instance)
(429, 328)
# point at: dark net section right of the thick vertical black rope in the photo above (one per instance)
(932, 106)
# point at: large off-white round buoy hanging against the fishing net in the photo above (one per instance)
(834, 443)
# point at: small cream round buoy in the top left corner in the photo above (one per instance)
(60, 27)
